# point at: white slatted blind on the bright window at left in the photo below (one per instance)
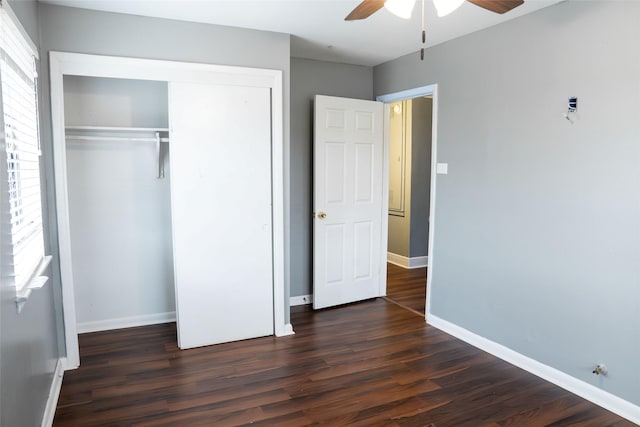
(20, 115)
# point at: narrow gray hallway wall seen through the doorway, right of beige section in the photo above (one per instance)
(421, 112)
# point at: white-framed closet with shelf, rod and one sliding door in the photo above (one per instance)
(169, 180)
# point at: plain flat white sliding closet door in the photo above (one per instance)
(221, 212)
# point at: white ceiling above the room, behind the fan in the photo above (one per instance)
(318, 28)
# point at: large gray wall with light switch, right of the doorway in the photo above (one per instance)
(537, 226)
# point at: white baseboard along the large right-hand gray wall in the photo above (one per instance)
(585, 390)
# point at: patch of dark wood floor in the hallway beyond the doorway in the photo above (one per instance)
(407, 287)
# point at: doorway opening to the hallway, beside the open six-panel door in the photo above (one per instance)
(410, 139)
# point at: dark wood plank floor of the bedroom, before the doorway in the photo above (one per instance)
(367, 364)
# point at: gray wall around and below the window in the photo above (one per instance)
(28, 345)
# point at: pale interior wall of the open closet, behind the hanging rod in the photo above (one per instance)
(120, 211)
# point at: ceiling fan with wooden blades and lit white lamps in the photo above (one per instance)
(369, 7)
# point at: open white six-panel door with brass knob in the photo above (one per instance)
(348, 200)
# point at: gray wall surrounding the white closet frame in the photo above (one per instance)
(83, 31)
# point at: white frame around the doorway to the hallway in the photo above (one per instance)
(401, 96)
